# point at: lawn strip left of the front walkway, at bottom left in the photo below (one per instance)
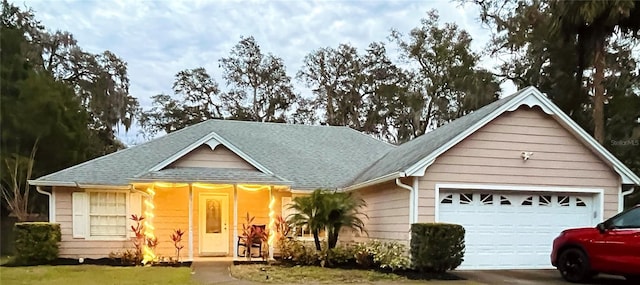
(94, 274)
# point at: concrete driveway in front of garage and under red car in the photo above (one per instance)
(530, 277)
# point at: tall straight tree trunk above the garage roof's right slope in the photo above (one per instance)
(598, 96)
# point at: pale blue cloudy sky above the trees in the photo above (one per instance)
(159, 38)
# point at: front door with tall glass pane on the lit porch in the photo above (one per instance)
(214, 221)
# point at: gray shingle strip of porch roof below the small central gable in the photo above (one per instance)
(216, 175)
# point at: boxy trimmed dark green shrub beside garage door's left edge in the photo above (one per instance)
(436, 247)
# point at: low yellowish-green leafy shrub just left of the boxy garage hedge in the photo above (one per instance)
(387, 255)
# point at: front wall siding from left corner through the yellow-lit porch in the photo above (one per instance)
(171, 212)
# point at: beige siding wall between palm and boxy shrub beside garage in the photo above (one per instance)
(387, 210)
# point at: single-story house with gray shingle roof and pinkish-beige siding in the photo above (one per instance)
(514, 173)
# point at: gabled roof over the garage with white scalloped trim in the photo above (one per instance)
(413, 157)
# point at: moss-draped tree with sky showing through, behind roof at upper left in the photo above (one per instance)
(99, 80)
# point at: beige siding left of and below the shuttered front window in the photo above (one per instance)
(79, 247)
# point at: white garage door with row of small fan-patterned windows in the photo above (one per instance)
(507, 230)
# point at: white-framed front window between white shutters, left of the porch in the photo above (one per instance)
(108, 214)
